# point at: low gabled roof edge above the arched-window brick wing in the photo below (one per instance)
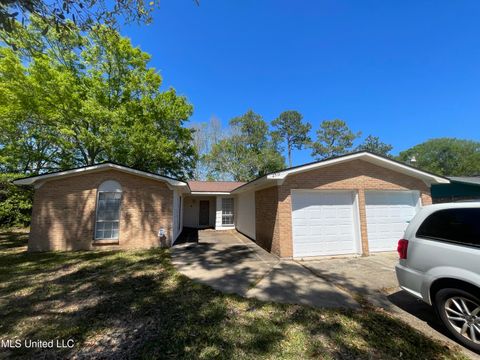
(31, 180)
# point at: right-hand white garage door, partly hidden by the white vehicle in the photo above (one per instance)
(388, 214)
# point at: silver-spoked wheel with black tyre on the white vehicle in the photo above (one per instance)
(460, 313)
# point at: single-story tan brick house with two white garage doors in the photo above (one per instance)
(353, 204)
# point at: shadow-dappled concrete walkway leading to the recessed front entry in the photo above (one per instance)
(232, 263)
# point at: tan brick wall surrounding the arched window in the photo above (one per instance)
(63, 216)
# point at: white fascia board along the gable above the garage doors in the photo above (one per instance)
(377, 160)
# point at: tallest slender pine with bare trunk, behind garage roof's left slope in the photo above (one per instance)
(292, 131)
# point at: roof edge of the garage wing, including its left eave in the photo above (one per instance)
(279, 176)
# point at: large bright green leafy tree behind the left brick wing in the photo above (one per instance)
(86, 99)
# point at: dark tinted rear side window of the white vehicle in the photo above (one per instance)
(453, 225)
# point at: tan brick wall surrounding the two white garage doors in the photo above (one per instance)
(356, 175)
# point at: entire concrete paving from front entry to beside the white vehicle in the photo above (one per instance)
(232, 263)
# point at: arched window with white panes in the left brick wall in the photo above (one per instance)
(108, 210)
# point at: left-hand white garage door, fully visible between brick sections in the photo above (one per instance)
(323, 223)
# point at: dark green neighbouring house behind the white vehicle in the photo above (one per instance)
(459, 188)
